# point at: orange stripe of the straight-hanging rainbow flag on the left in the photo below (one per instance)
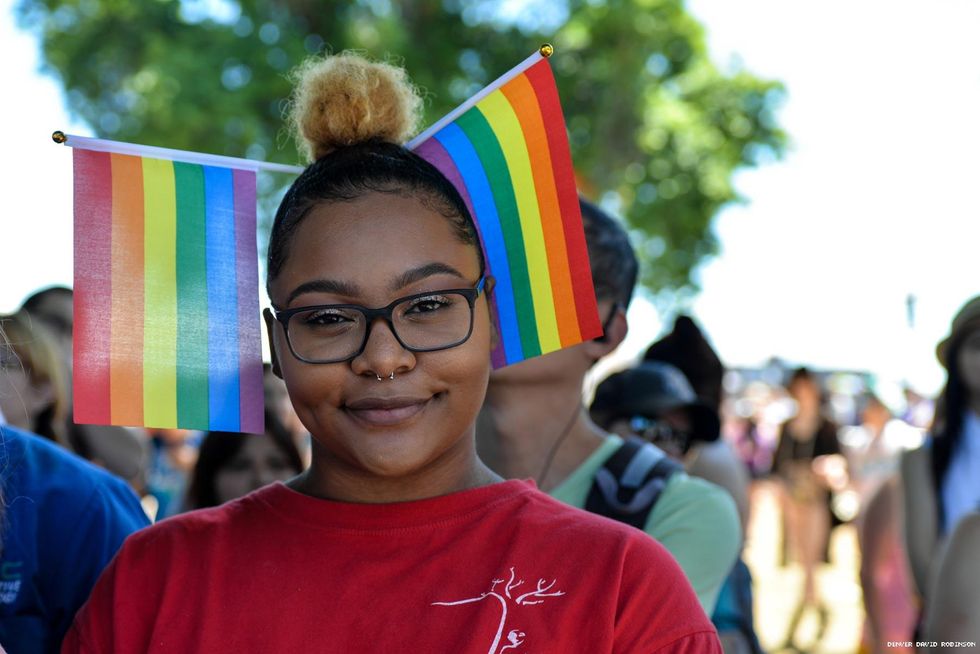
(126, 328)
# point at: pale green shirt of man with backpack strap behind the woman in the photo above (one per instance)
(696, 521)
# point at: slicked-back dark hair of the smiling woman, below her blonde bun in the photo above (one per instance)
(351, 172)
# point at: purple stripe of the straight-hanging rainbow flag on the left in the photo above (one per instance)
(251, 400)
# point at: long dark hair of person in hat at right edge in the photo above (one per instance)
(947, 424)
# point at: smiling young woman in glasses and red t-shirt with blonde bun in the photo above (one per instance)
(397, 538)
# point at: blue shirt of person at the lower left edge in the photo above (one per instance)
(63, 521)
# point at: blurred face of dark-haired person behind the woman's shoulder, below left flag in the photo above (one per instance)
(258, 462)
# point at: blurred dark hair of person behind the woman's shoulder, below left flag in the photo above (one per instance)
(219, 447)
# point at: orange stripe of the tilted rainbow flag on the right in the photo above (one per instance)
(524, 101)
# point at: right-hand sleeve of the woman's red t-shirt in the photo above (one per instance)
(658, 611)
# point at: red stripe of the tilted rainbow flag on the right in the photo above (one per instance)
(561, 159)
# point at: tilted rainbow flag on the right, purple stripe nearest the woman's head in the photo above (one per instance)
(506, 151)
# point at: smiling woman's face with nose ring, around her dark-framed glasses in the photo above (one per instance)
(369, 252)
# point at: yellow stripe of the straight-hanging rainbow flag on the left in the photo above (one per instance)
(160, 321)
